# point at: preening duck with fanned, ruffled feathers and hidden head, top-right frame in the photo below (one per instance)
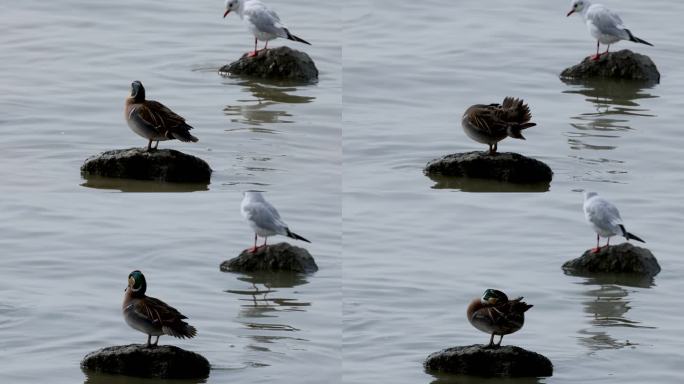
(491, 123)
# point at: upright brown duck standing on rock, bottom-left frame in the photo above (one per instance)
(152, 316)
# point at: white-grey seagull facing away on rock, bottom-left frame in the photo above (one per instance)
(264, 219)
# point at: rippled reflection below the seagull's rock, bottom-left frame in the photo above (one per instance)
(263, 304)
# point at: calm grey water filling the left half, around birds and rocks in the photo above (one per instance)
(69, 244)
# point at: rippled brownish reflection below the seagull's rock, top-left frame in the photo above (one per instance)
(257, 112)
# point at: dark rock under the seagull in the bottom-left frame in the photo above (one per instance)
(276, 257)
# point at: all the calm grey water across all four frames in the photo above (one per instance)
(400, 254)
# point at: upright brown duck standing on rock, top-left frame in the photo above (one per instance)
(153, 120)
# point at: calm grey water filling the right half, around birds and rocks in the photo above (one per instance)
(416, 250)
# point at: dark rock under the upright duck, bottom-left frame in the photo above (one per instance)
(164, 361)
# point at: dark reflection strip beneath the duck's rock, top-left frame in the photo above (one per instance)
(131, 185)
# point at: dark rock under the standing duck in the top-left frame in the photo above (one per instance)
(139, 163)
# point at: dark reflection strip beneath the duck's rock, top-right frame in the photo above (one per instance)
(466, 184)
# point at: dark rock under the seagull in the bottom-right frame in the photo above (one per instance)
(622, 258)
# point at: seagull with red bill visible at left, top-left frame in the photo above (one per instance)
(262, 21)
